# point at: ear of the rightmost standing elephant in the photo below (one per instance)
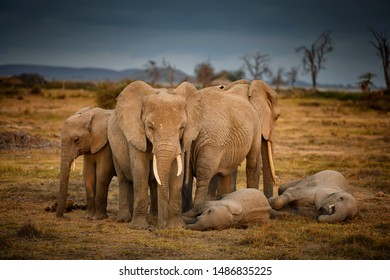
(265, 101)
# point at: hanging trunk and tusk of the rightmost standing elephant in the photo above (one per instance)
(268, 168)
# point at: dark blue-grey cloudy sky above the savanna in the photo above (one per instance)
(127, 34)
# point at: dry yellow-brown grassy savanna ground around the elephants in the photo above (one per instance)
(314, 133)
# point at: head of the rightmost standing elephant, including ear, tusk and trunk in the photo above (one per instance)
(265, 101)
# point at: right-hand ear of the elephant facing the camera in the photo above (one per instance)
(194, 112)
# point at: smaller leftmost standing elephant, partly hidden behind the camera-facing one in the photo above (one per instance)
(85, 133)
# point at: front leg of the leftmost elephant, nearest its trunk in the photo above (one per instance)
(89, 174)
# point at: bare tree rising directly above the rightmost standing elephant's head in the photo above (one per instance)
(257, 64)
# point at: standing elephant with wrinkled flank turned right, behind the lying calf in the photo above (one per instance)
(233, 129)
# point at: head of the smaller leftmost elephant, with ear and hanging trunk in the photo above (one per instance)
(83, 132)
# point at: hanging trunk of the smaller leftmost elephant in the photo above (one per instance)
(66, 161)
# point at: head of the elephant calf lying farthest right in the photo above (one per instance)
(336, 207)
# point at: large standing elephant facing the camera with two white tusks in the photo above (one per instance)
(152, 129)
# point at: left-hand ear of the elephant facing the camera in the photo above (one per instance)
(128, 112)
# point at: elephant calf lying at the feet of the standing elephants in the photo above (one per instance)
(240, 208)
